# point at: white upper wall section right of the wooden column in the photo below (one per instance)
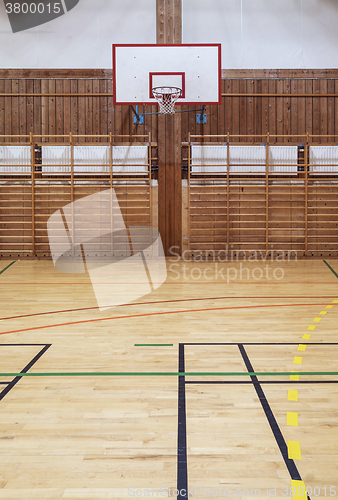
(266, 34)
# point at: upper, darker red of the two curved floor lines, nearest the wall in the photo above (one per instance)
(172, 301)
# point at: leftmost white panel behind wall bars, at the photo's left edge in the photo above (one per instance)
(15, 159)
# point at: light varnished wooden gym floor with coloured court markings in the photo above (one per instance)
(116, 436)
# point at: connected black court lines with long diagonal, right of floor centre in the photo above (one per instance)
(182, 461)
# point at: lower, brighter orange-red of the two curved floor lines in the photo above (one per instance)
(158, 314)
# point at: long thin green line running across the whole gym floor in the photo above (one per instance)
(163, 374)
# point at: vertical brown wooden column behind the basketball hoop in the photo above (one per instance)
(169, 31)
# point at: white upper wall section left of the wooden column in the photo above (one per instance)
(82, 38)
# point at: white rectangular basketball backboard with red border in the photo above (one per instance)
(196, 69)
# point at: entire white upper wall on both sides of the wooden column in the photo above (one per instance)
(254, 34)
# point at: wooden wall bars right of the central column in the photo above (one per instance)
(268, 211)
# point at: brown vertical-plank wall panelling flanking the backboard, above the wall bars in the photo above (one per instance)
(97, 115)
